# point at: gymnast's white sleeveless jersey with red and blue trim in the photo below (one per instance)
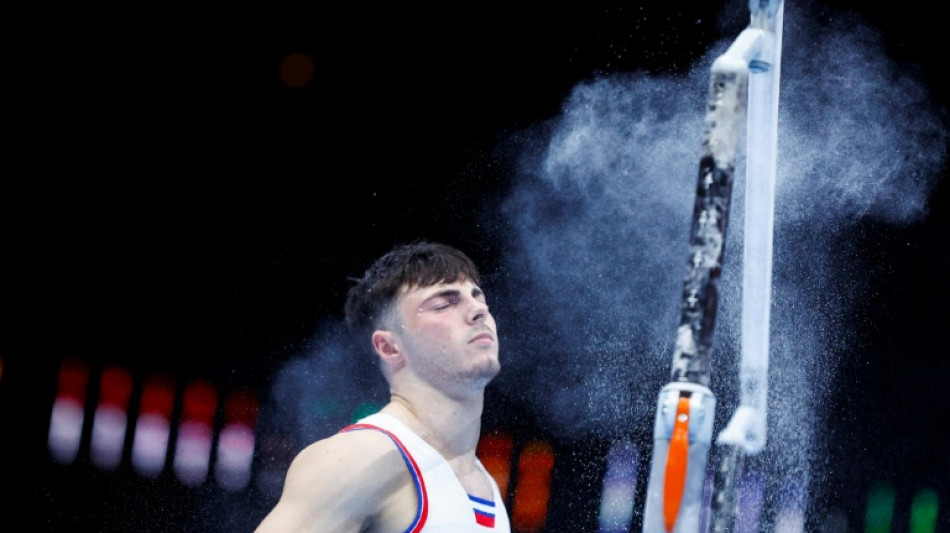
(444, 506)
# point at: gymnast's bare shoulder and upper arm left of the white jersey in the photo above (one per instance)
(350, 482)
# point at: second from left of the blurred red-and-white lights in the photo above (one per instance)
(110, 421)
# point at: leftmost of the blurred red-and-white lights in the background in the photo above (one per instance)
(68, 414)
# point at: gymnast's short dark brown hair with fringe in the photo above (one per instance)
(417, 264)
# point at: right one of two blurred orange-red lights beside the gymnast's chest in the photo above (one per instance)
(533, 489)
